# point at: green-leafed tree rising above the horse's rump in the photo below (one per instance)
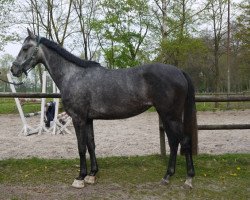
(178, 43)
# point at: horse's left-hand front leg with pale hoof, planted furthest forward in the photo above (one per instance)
(81, 134)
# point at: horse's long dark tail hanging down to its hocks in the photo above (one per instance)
(190, 120)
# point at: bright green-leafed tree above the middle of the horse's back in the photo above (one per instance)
(122, 31)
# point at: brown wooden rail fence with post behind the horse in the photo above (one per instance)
(200, 98)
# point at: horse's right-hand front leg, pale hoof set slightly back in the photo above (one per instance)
(91, 178)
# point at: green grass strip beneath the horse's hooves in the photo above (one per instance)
(217, 177)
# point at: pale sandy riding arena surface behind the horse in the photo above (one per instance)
(134, 136)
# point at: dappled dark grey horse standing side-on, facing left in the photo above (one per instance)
(90, 91)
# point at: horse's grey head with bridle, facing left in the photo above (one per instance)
(28, 56)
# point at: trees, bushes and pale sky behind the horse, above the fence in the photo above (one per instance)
(190, 34)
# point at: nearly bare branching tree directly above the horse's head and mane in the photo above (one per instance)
(51, 17)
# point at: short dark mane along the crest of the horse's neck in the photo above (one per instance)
(67, 55)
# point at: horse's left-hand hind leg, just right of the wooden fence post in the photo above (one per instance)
(173, 129)
